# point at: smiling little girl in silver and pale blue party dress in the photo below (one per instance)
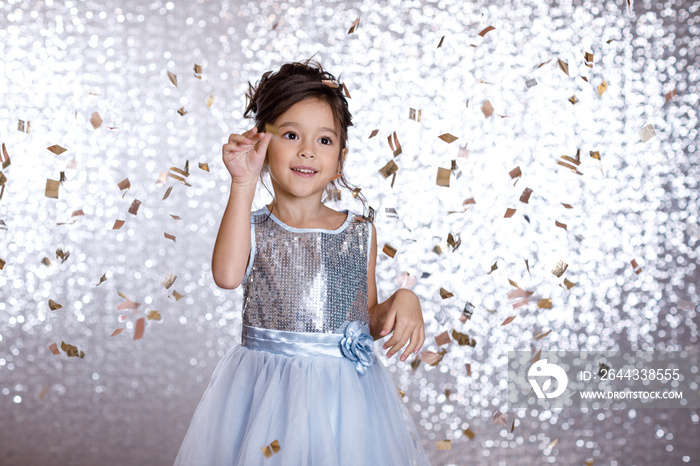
(304, 387)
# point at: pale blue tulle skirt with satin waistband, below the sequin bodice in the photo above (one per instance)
(298, 390)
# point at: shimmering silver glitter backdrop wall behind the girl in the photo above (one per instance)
(613, 198)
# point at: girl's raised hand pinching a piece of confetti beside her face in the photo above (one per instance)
(244, 155)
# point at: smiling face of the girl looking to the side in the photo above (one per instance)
(308, 137)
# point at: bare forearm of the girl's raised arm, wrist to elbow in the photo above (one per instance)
(232, 248)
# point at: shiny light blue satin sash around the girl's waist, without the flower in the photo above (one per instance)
(292, 343)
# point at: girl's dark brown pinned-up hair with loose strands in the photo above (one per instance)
(277, 92)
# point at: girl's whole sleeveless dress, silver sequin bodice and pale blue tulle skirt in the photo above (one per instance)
(304, 387)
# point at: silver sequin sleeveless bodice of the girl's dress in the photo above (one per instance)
(306, 279)
